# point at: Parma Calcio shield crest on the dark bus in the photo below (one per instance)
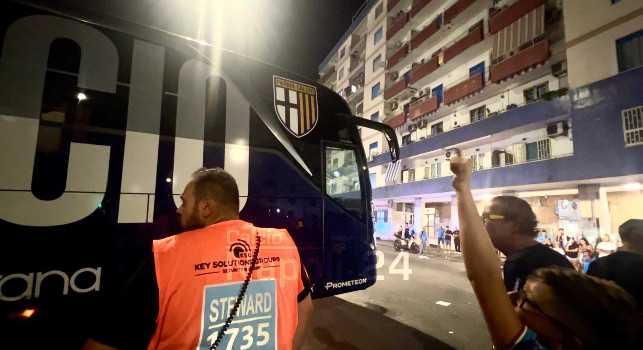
(296, 105)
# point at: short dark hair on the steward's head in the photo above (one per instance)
(217, 184)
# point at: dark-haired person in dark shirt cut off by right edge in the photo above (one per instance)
(625, 267)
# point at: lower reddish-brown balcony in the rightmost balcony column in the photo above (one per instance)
(520, 61)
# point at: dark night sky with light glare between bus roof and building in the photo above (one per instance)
(293, 34)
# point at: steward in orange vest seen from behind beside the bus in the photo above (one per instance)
(175, 299)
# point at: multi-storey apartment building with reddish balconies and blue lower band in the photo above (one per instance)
(544, 95)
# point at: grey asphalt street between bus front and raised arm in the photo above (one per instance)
(415, 304)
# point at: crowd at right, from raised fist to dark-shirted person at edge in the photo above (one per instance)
(544, 302)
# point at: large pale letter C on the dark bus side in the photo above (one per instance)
(22, 76)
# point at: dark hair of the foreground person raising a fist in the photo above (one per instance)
(602, 307)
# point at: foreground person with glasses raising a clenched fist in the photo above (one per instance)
(556, 306)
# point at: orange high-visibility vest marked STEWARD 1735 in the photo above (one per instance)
(200, 274)
